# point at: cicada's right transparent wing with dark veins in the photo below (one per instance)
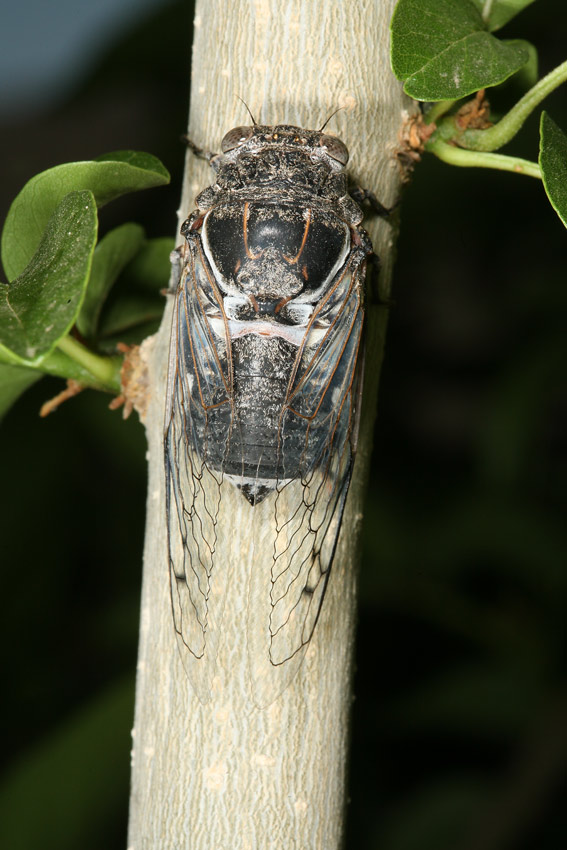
(318, 426)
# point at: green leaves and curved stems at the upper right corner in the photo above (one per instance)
(446, 50)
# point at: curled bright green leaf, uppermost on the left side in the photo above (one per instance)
(107, 177)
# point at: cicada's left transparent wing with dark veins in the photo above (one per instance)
(197, 432)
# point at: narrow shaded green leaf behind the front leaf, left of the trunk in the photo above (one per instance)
(111, 255)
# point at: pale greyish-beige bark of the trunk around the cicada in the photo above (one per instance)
(228, 775)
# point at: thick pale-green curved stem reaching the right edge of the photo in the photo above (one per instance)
(501, 133)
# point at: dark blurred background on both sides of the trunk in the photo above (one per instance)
(458, 736)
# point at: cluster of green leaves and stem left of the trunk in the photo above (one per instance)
(71, 297)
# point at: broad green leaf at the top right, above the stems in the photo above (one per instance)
(442, 51)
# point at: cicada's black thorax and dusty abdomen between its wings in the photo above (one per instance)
(274, 264)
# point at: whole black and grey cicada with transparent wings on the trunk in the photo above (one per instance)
(264, 378)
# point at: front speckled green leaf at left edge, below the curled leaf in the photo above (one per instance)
(40, 306)
